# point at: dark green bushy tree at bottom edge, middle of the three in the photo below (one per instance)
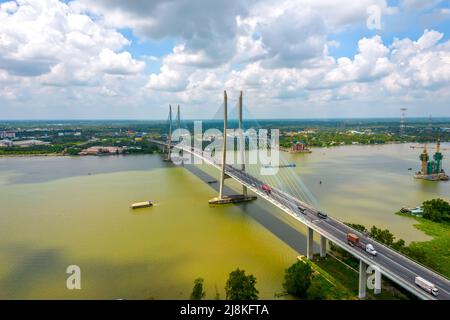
(240, 286)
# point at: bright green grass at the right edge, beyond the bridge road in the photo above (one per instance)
(439, 247)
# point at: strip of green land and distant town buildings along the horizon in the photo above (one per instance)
(131, 137)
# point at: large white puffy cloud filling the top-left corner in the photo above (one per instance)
(49, 39)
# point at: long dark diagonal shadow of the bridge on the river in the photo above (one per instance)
(289, 235)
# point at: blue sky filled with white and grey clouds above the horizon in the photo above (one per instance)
(115, 59)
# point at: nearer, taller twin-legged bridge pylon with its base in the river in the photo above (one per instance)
(222, 198)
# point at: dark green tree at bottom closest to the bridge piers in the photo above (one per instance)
(297, 279)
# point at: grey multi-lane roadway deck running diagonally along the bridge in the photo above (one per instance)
(392, 264)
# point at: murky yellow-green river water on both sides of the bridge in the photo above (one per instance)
(61, 211)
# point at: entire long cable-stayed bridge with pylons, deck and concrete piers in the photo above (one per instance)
(391, 264)
